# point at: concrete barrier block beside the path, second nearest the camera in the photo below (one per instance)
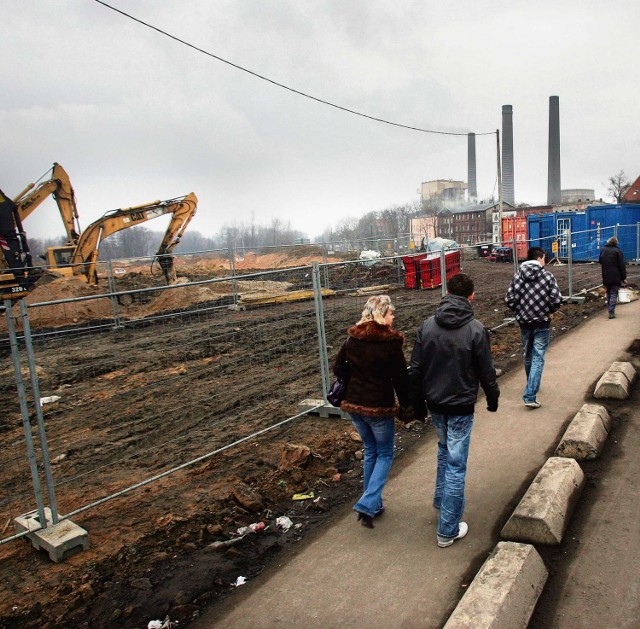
(542, 515)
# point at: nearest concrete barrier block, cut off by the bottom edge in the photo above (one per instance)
(505, 591)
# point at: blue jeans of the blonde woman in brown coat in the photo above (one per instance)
(378, 438)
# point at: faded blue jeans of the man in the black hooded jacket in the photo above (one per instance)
(454, 435)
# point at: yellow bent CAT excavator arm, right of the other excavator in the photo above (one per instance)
(85, 255)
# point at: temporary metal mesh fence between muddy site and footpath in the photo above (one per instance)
(136, 391)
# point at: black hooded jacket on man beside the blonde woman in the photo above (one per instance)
(450, 358)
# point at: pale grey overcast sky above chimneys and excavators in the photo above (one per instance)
(134, 116)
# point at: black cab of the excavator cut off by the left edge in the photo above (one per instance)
(17, 280)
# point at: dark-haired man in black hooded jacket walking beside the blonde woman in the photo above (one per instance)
(450, 359)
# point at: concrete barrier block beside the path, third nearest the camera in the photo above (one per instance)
(586, 434)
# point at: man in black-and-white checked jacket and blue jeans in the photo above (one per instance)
(533, 295)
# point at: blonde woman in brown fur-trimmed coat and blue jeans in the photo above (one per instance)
(378, 373)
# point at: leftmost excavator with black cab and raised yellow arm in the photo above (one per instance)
(17, 273)
